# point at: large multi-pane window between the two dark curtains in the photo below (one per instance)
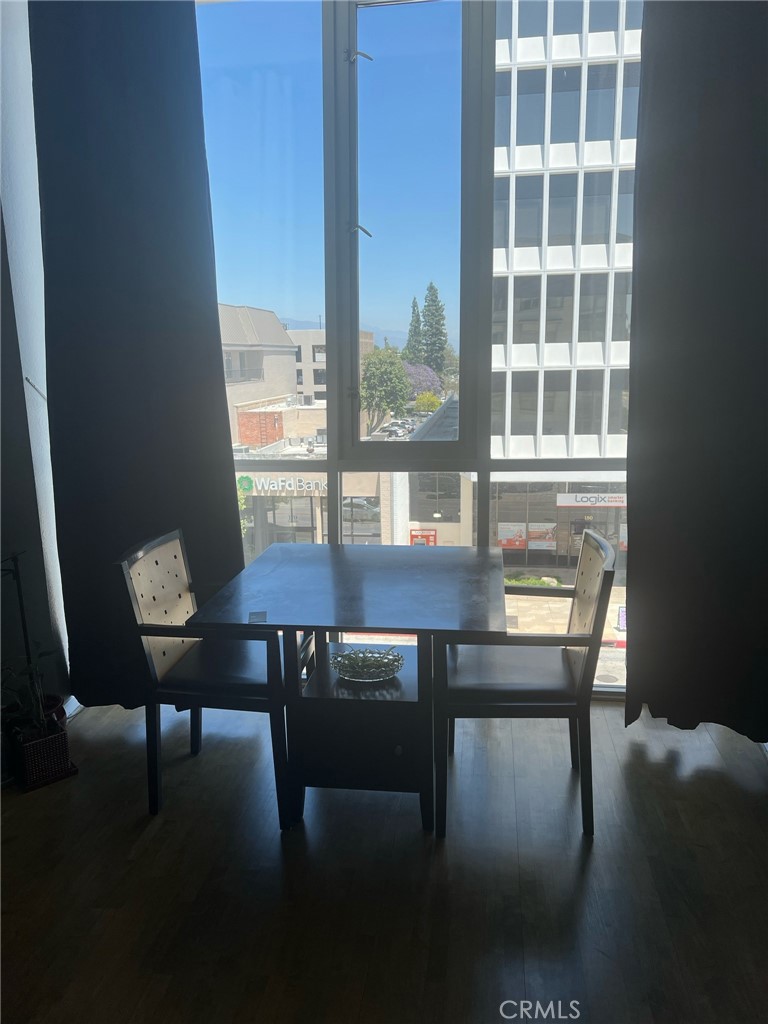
(450, 271)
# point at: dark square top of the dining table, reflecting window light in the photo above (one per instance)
(452, 592)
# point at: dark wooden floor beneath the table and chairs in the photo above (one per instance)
(208, 915)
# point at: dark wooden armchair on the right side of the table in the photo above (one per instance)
(531, 675)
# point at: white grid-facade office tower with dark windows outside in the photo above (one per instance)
(567, 96)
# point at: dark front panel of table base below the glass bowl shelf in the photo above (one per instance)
(361, 745)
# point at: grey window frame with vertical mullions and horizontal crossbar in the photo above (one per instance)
(472, 453)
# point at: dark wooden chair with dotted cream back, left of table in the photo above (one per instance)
(192, 674)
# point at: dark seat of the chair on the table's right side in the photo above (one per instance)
(520, 675)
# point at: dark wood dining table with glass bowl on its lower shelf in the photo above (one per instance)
(363, 737)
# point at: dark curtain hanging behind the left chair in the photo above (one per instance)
(140, 436)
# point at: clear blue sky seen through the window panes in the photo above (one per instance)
(263, 99)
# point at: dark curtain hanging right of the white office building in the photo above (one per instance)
(698, 458)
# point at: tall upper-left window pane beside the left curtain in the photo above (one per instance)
(254, 64)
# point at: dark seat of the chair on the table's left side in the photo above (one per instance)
(237, 667)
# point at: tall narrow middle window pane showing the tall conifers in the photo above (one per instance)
(408, 181)
